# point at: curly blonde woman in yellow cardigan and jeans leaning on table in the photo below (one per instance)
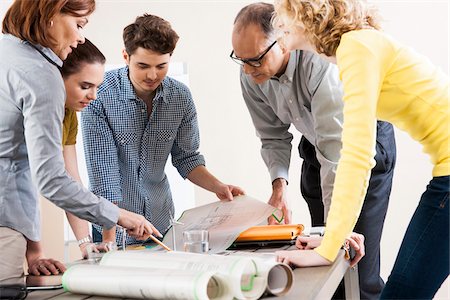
(382, 80)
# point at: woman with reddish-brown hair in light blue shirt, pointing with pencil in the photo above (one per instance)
(39, 35)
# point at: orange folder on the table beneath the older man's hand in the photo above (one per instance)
(271, 233)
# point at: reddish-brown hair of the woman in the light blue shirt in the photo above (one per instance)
(29, 19)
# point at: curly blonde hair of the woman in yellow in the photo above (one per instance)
(325, 21)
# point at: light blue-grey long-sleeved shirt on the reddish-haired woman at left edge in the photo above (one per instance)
(32, 99)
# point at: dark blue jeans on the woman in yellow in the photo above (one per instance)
(422, 263)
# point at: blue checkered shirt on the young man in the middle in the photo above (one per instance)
(126, 150)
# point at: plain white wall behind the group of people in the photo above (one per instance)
(228, 140)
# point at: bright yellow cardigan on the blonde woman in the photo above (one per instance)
(387, 81)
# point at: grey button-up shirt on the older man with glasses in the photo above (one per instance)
(309, 96)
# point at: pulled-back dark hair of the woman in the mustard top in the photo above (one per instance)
(86, 53)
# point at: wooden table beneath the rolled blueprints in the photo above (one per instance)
(309, 283)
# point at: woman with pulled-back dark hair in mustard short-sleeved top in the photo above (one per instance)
(82, 71)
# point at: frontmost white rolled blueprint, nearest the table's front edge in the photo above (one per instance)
(143, 283)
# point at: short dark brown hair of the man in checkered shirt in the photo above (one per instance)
(150, 32)
